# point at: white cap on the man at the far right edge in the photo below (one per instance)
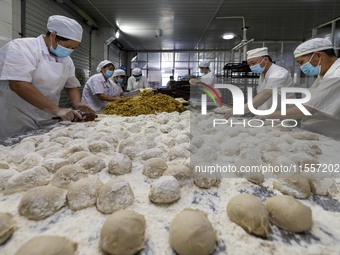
(313, 45)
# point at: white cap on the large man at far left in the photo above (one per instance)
(65, 27)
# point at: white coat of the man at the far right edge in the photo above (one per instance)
(326, 100)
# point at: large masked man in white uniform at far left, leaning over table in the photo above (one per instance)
(33, 72)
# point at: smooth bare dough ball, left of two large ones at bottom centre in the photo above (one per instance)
(123, 233)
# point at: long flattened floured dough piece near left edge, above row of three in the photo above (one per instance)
(36, 176)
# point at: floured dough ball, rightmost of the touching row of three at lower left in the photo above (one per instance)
(114, 195)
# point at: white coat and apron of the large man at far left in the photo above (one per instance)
(29, 60)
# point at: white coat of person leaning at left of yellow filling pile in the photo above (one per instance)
(98, 85)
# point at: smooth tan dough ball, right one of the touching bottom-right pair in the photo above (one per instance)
(289, 214)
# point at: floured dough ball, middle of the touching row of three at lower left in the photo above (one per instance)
(83, 193)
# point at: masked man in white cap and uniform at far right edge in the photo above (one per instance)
(316, 57)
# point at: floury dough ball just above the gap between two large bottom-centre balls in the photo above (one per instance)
(165, 190)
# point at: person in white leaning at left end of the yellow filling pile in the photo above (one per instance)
(99, 90)
